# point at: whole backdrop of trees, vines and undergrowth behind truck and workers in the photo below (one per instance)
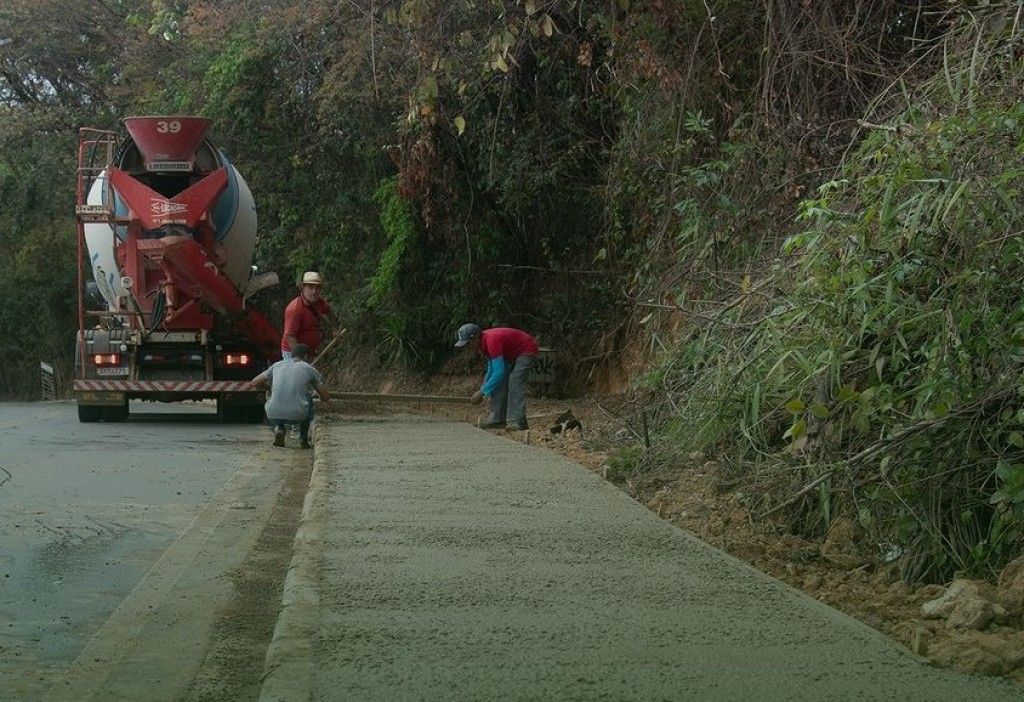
(801, 218)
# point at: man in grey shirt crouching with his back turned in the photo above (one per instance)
(292, 383)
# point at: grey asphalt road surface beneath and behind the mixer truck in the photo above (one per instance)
(101, 522)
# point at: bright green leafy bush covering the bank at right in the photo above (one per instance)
(885, 369)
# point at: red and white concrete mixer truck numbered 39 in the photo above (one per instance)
(166, 229)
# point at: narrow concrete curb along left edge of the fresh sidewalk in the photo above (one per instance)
(288, 670)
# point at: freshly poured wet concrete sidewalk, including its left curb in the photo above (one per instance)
(460, 565)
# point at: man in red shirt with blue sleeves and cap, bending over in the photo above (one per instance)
(511, 355)
